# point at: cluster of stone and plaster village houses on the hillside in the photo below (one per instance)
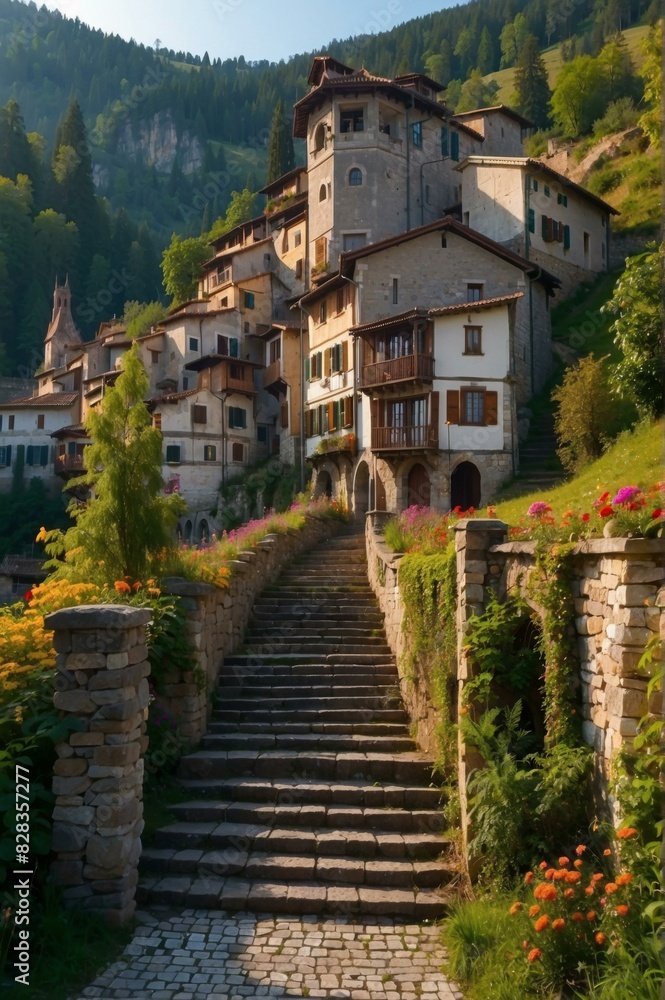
(393, 302)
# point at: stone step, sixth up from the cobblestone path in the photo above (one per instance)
(372, 766)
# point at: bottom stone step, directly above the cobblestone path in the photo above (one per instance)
(235, 895)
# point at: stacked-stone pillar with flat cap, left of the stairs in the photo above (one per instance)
(101, 680)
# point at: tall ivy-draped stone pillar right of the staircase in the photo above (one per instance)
(473, 539)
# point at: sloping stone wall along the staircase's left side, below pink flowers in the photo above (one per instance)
(217, 619)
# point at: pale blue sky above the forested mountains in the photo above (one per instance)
(257, 29)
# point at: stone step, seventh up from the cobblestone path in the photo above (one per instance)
(352, 743)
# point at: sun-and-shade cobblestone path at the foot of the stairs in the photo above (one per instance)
(203, 953)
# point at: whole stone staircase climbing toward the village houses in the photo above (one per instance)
(308, 794)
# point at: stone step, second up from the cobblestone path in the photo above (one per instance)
(233, 861)
